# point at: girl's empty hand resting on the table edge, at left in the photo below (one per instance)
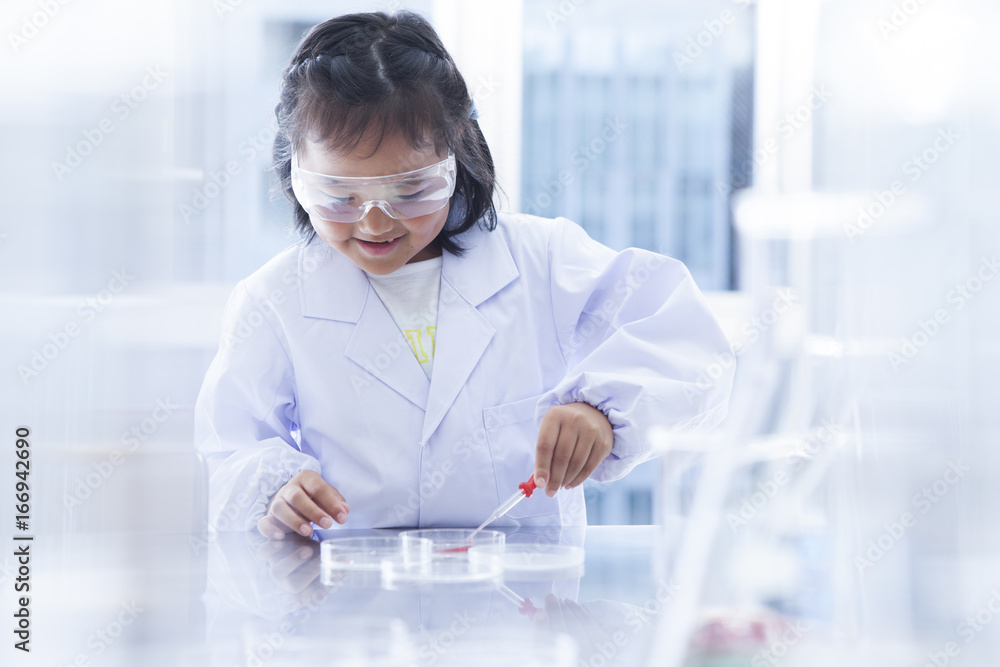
(305, 498)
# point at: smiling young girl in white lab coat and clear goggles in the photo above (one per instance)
(418, 355)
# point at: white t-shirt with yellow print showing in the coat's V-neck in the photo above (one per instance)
(410, 294)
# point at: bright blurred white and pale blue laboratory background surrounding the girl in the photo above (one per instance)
(826, 169)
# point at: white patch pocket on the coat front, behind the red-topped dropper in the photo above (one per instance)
(512, 436)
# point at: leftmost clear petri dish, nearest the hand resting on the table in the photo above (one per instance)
(374, 554)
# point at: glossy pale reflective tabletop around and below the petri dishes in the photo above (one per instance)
(271, 593)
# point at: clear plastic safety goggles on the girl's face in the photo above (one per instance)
(400, 196)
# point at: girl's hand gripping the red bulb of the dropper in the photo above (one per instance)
(573, 439)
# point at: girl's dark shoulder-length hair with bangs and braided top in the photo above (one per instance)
(374, 75)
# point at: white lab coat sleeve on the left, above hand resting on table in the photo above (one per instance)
(245, 416)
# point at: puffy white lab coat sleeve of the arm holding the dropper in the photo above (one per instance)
(638, 339)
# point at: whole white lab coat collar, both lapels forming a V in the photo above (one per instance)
(334, 288)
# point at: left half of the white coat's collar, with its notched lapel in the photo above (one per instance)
(334, 288)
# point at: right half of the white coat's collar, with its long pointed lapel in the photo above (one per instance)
(463, 333)
